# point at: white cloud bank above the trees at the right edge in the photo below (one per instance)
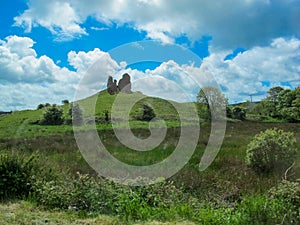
(247, 72)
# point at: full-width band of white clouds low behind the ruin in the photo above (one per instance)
(27, 80)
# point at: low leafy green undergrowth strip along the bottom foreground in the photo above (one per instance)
(161, 201)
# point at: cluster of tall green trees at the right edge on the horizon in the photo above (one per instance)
(281, 103)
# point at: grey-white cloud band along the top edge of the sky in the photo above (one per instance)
(242, 23)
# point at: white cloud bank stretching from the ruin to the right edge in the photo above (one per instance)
(251, 72)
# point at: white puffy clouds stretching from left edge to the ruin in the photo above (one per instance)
(27, 80)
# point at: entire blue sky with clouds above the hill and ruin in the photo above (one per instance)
(47, 47)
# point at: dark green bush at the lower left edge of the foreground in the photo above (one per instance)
(16, 174)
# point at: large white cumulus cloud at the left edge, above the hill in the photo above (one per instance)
(27, 80)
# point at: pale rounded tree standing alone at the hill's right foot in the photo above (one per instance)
(214, 101)
